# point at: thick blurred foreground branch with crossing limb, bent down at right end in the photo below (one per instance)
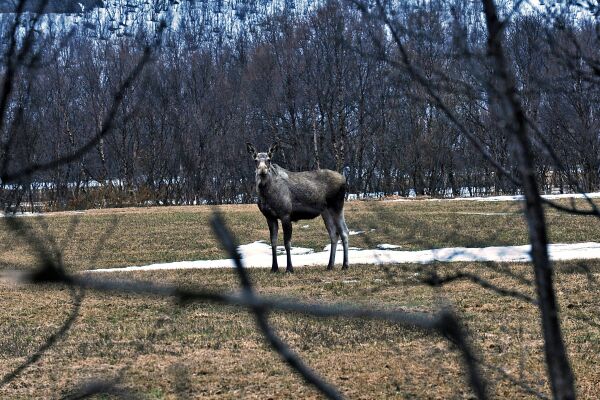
(443, 322)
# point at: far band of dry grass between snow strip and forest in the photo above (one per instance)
(139, 236)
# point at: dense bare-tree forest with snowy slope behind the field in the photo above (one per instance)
(323, 80)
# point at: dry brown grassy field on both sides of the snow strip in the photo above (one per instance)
(163, 350)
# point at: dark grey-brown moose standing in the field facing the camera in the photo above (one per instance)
(292, 196)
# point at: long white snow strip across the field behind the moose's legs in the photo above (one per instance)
(258, 255)
